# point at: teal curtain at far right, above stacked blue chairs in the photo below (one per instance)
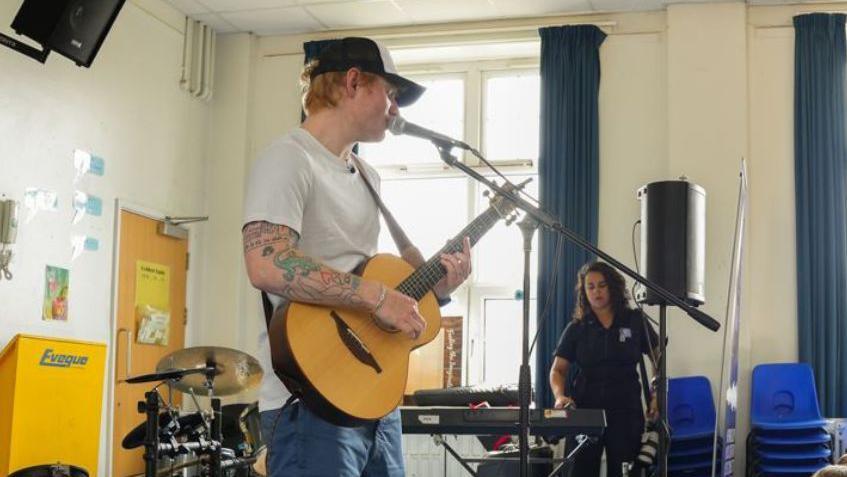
(819, 155)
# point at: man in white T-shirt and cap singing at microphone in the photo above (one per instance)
(309, 221)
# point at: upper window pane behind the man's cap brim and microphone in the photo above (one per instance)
(441, 108)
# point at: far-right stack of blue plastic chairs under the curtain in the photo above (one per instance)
(787, 433)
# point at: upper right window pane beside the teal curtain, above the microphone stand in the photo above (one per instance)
(510, 127)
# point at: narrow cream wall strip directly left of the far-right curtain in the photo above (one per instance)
(773, 283)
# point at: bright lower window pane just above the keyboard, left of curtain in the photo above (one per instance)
(503, 335)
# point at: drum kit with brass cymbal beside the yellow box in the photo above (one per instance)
(221, 441)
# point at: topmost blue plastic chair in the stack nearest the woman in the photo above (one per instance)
(691, 409)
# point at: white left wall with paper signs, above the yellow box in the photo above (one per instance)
(128, 109)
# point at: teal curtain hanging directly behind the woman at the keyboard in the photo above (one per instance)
(568, 175)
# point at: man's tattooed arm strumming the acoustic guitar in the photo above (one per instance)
(276, 265)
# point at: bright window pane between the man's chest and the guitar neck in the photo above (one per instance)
(431, 211)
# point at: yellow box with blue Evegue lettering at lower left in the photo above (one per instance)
(51, 393)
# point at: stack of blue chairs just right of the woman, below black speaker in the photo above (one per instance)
(691, 416)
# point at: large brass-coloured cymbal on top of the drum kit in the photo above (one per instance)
(236, 371)
